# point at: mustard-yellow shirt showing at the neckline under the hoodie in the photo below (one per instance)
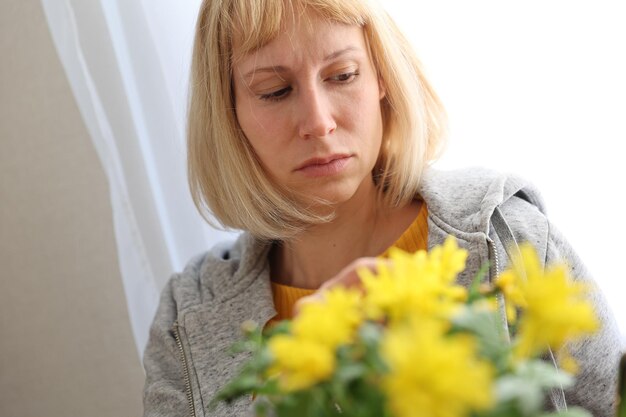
(414, 238)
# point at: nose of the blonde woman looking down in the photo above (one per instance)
(315, 114)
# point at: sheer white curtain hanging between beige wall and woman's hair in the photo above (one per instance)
(127, 65)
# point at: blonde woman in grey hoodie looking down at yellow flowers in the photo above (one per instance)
(311, 128)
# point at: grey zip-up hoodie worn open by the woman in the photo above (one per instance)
(187, 359)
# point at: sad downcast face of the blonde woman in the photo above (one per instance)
(309, 104)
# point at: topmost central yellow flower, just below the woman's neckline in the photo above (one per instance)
(419, 283)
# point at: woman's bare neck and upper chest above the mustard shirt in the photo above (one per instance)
(361, 227)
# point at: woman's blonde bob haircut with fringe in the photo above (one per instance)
(226, 178)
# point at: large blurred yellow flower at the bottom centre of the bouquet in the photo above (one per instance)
(433, 375)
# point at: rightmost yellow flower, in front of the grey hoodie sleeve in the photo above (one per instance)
(555, 308)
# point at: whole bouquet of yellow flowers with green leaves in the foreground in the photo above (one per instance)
(413, 343)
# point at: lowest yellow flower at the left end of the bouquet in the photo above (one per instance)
(299, 363)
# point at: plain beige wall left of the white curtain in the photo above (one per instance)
(66, 347)
